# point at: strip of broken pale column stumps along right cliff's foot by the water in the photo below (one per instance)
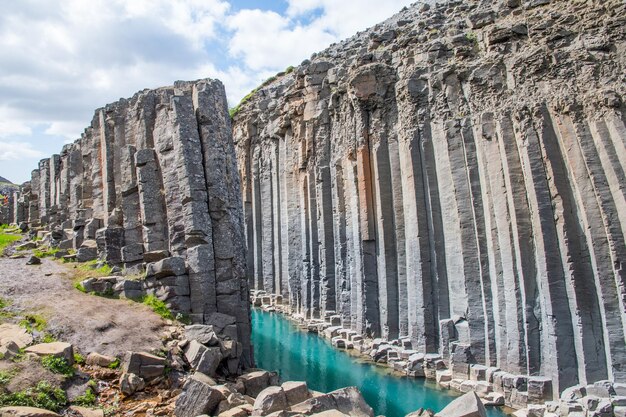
(523, 395)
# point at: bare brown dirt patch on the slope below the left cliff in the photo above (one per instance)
(89, 322)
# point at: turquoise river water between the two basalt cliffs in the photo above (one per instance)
(300, 356)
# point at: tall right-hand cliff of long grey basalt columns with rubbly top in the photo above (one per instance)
(454, 175)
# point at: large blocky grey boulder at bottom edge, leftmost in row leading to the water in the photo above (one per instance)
(198, 397)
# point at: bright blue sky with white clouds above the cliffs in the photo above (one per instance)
(62, 59)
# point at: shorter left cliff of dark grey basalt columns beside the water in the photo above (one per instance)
(152, 185)
